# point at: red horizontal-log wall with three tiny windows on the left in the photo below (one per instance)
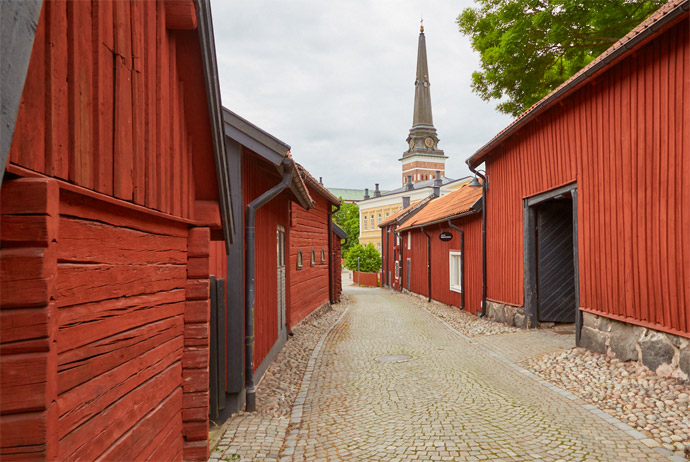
(308, 285)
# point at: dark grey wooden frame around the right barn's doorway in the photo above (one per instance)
(530, 254)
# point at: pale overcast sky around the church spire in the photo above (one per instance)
(335, 81)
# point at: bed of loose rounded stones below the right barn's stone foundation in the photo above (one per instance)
(656, 406)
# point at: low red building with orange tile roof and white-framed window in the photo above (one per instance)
(442, 249)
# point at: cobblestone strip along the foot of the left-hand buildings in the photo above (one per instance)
(281, 382)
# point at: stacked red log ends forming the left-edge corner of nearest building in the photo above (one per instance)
(28, 268)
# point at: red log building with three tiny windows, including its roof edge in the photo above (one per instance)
(312, 253)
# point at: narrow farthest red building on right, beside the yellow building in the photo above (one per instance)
(391, 250)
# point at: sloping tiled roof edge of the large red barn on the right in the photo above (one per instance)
(617, 50)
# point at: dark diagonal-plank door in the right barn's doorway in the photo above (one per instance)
(555, 268)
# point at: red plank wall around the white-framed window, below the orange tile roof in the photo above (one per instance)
(440, 262)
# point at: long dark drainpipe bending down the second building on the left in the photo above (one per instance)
(249, 278)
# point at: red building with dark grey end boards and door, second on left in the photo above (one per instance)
(267, 187)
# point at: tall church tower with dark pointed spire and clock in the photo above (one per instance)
(424, 157)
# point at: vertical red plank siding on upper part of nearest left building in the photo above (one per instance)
(116, 103)
